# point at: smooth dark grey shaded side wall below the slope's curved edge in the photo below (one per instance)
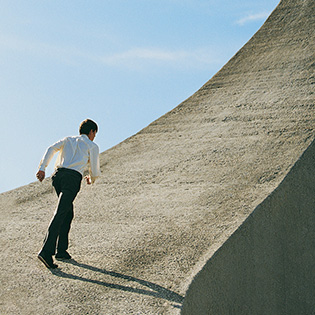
(268, 265)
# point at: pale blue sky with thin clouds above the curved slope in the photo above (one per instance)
(121, 63)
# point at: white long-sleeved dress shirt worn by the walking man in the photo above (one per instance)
(74, 153)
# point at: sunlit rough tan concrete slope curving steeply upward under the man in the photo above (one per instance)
(172, 194)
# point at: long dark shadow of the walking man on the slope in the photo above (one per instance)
(157, 290)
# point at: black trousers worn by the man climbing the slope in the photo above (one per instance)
(67, 184)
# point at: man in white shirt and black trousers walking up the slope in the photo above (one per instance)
(75, 153)
